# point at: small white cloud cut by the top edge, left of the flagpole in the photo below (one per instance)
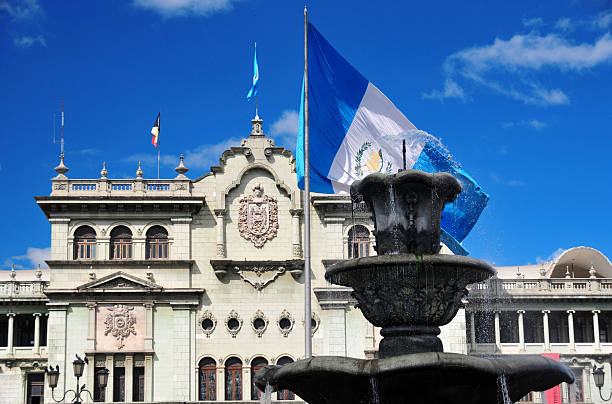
(176, 8)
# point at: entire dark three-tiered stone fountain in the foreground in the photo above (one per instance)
(410, 290)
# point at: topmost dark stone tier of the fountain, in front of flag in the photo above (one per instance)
(407, 209)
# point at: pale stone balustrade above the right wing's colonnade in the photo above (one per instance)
(551, 286)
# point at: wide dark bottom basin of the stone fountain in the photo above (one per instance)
(422, 378)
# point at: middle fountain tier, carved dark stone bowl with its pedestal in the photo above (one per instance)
(410, 296)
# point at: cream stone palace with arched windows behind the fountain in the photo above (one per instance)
(182, 288)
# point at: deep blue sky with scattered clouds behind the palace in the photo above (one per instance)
(518, 91)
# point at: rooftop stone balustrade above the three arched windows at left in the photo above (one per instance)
(130, 187)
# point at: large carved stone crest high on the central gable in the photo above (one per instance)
(258, 217)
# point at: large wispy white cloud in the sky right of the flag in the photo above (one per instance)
(509, 67)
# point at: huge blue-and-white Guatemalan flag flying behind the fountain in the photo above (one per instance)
(354, 130)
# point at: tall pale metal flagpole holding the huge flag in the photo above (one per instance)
(307, 287)
